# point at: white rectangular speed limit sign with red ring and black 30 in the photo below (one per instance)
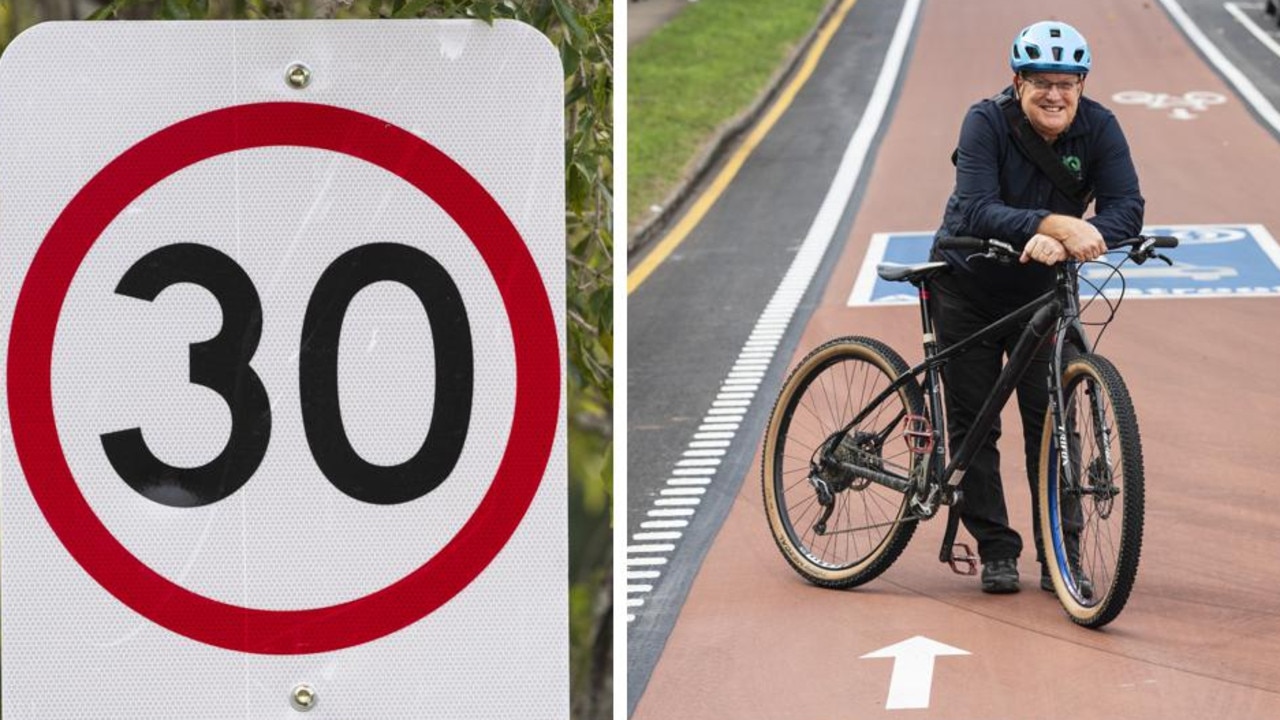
(285, 373)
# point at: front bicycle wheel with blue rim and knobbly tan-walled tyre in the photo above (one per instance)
(1091, 516)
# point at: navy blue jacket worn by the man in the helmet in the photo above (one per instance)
(1002, 194)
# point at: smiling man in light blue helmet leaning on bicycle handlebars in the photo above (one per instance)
(1028, 165)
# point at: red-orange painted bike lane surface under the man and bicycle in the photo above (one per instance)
(1201, 635)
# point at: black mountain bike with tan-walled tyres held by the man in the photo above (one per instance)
(856, 453)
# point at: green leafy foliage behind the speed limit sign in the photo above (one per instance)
(583, 31)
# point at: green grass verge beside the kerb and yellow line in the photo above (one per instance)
(693, 75)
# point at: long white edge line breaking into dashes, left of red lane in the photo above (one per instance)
(740, 386)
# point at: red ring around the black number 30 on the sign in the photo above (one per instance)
(284, 632)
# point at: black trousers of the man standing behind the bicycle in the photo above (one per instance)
(962, 309)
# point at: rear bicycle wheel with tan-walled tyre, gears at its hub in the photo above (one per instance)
(836, 530)
